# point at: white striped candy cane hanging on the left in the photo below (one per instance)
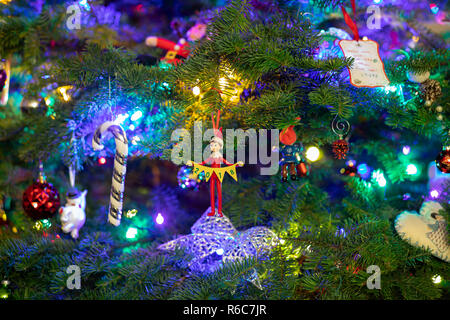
(120, 167)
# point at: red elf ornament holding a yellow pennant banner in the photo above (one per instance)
(215, 172)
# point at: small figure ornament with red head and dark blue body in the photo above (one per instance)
(291, 153)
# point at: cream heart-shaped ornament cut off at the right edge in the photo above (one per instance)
(428, 229)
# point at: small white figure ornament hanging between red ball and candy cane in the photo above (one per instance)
(73, 215)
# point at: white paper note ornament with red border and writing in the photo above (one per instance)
(368, 68)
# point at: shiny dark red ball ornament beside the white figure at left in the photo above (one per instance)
(41, 200)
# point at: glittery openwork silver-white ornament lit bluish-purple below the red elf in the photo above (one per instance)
(214, 241)
